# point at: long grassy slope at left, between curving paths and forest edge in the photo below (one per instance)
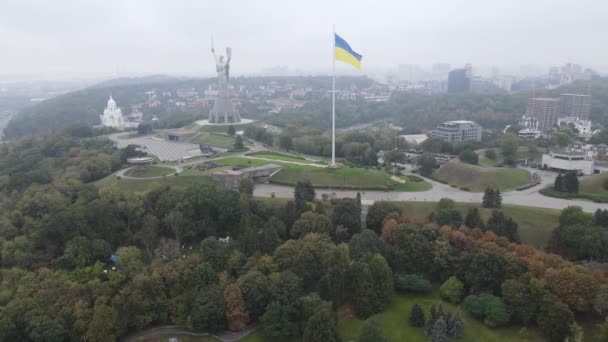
(143, 185)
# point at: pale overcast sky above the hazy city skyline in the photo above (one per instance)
(173, 36)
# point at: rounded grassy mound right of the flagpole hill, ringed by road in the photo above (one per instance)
(476, 178)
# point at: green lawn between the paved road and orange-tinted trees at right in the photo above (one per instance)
(535, 224)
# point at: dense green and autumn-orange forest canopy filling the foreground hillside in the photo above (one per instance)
(79, 261)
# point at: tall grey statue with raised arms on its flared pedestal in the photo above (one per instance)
(223, 110)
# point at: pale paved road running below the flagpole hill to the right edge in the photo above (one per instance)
(530, 197)
